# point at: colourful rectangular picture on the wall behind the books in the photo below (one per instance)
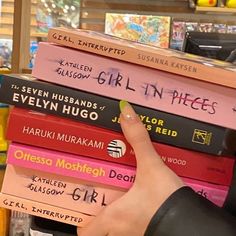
(147, 29)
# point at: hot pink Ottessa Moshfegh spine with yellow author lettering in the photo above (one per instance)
(106, 173)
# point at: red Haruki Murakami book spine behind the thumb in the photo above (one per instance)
(38, 129)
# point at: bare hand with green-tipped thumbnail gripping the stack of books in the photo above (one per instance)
(154, 183)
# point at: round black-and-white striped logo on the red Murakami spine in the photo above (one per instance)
(116, 148)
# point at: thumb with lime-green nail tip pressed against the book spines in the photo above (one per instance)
(138, 137)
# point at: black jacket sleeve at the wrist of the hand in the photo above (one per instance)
(187, 213)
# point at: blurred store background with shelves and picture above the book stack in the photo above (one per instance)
(160, 23)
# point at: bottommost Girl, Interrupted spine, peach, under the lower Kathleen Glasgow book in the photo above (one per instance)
(44, 210)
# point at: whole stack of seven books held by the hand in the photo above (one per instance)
(68, 158)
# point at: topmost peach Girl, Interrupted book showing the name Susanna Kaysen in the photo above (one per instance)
(201, 68)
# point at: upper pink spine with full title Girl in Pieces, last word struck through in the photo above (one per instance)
(140, 85)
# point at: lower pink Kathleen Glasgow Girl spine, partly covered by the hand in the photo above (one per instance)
(57, 190)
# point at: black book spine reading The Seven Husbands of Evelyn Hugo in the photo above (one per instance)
(26, 92)
